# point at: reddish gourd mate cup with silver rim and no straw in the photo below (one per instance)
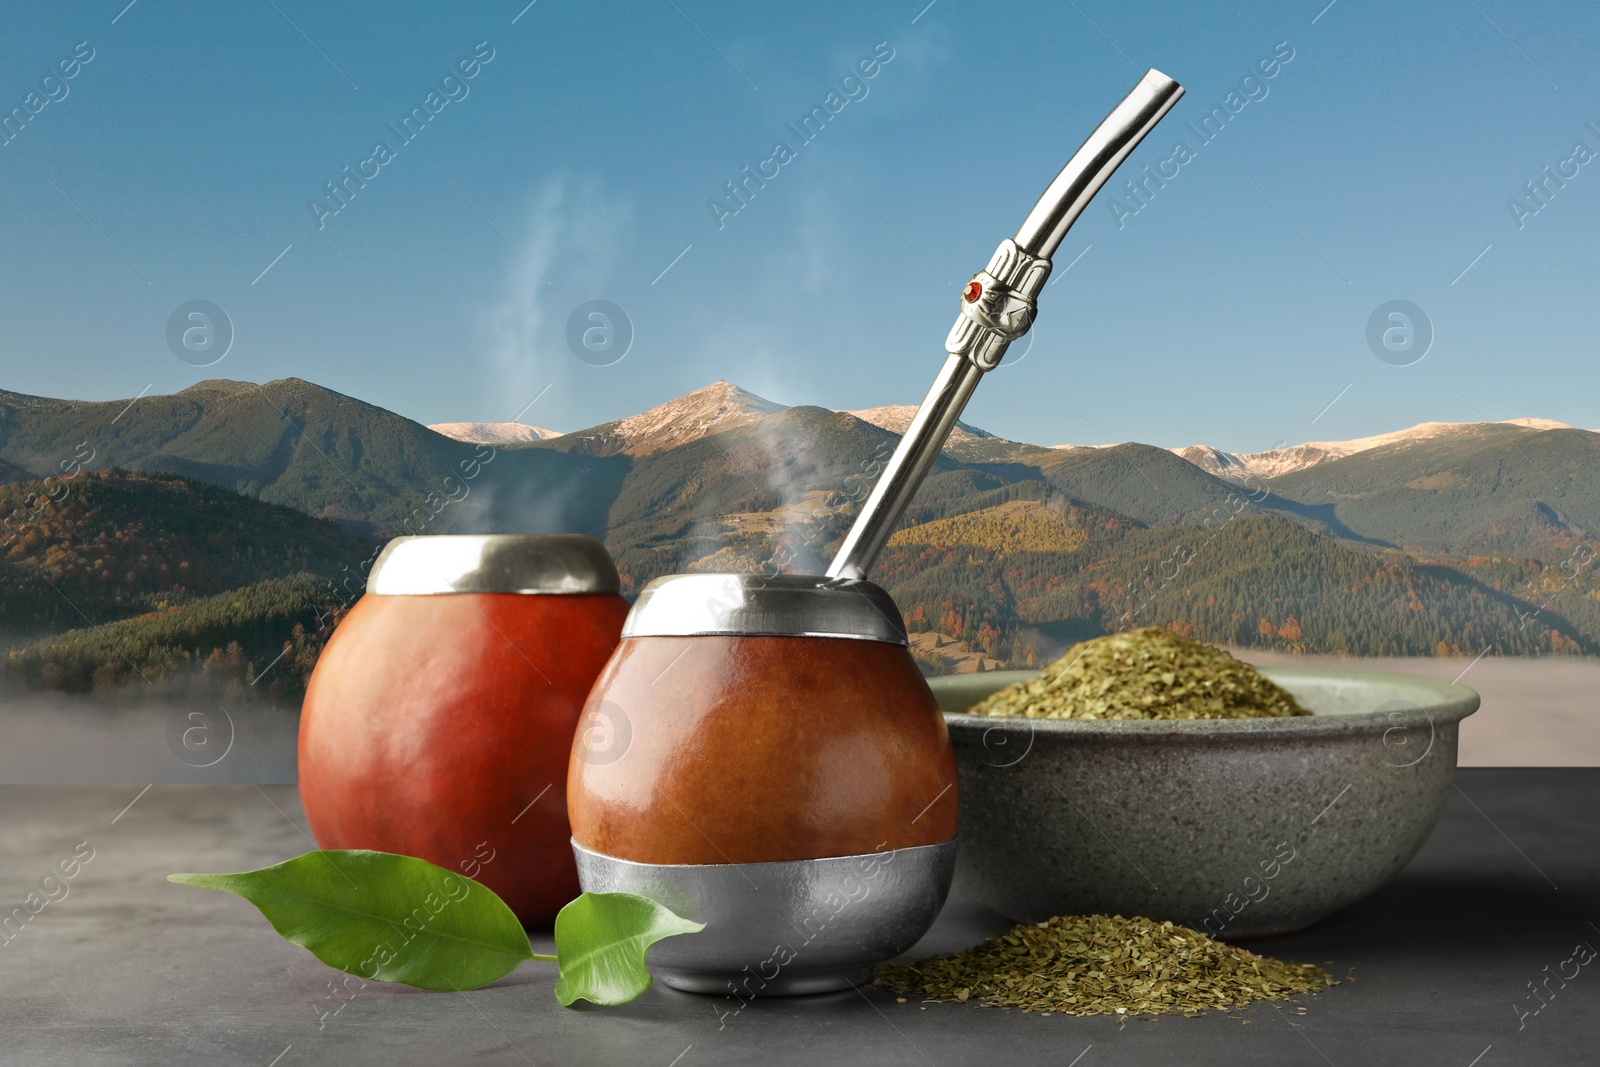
(441, 717)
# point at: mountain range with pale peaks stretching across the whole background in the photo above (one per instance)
(1446, 538)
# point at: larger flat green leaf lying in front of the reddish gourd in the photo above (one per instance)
(385, 917)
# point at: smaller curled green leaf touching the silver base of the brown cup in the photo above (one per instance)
(601, 940)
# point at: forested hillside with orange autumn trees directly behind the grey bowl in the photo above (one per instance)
(1260, 581)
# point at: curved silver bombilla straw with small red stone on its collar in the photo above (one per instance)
(998, 308)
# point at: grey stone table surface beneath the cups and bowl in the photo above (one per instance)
(129, 969)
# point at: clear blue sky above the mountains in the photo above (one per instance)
(577, 164)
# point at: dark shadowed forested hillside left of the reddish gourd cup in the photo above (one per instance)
(151, 580)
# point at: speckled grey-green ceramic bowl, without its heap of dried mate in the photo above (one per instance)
(1238, 828)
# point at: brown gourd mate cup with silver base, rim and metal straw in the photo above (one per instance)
(761, 754)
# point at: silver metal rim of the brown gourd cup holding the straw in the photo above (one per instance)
(775, 605)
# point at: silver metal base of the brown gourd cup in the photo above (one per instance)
(783, 929)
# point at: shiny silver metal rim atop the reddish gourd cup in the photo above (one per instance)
(494, 564)
